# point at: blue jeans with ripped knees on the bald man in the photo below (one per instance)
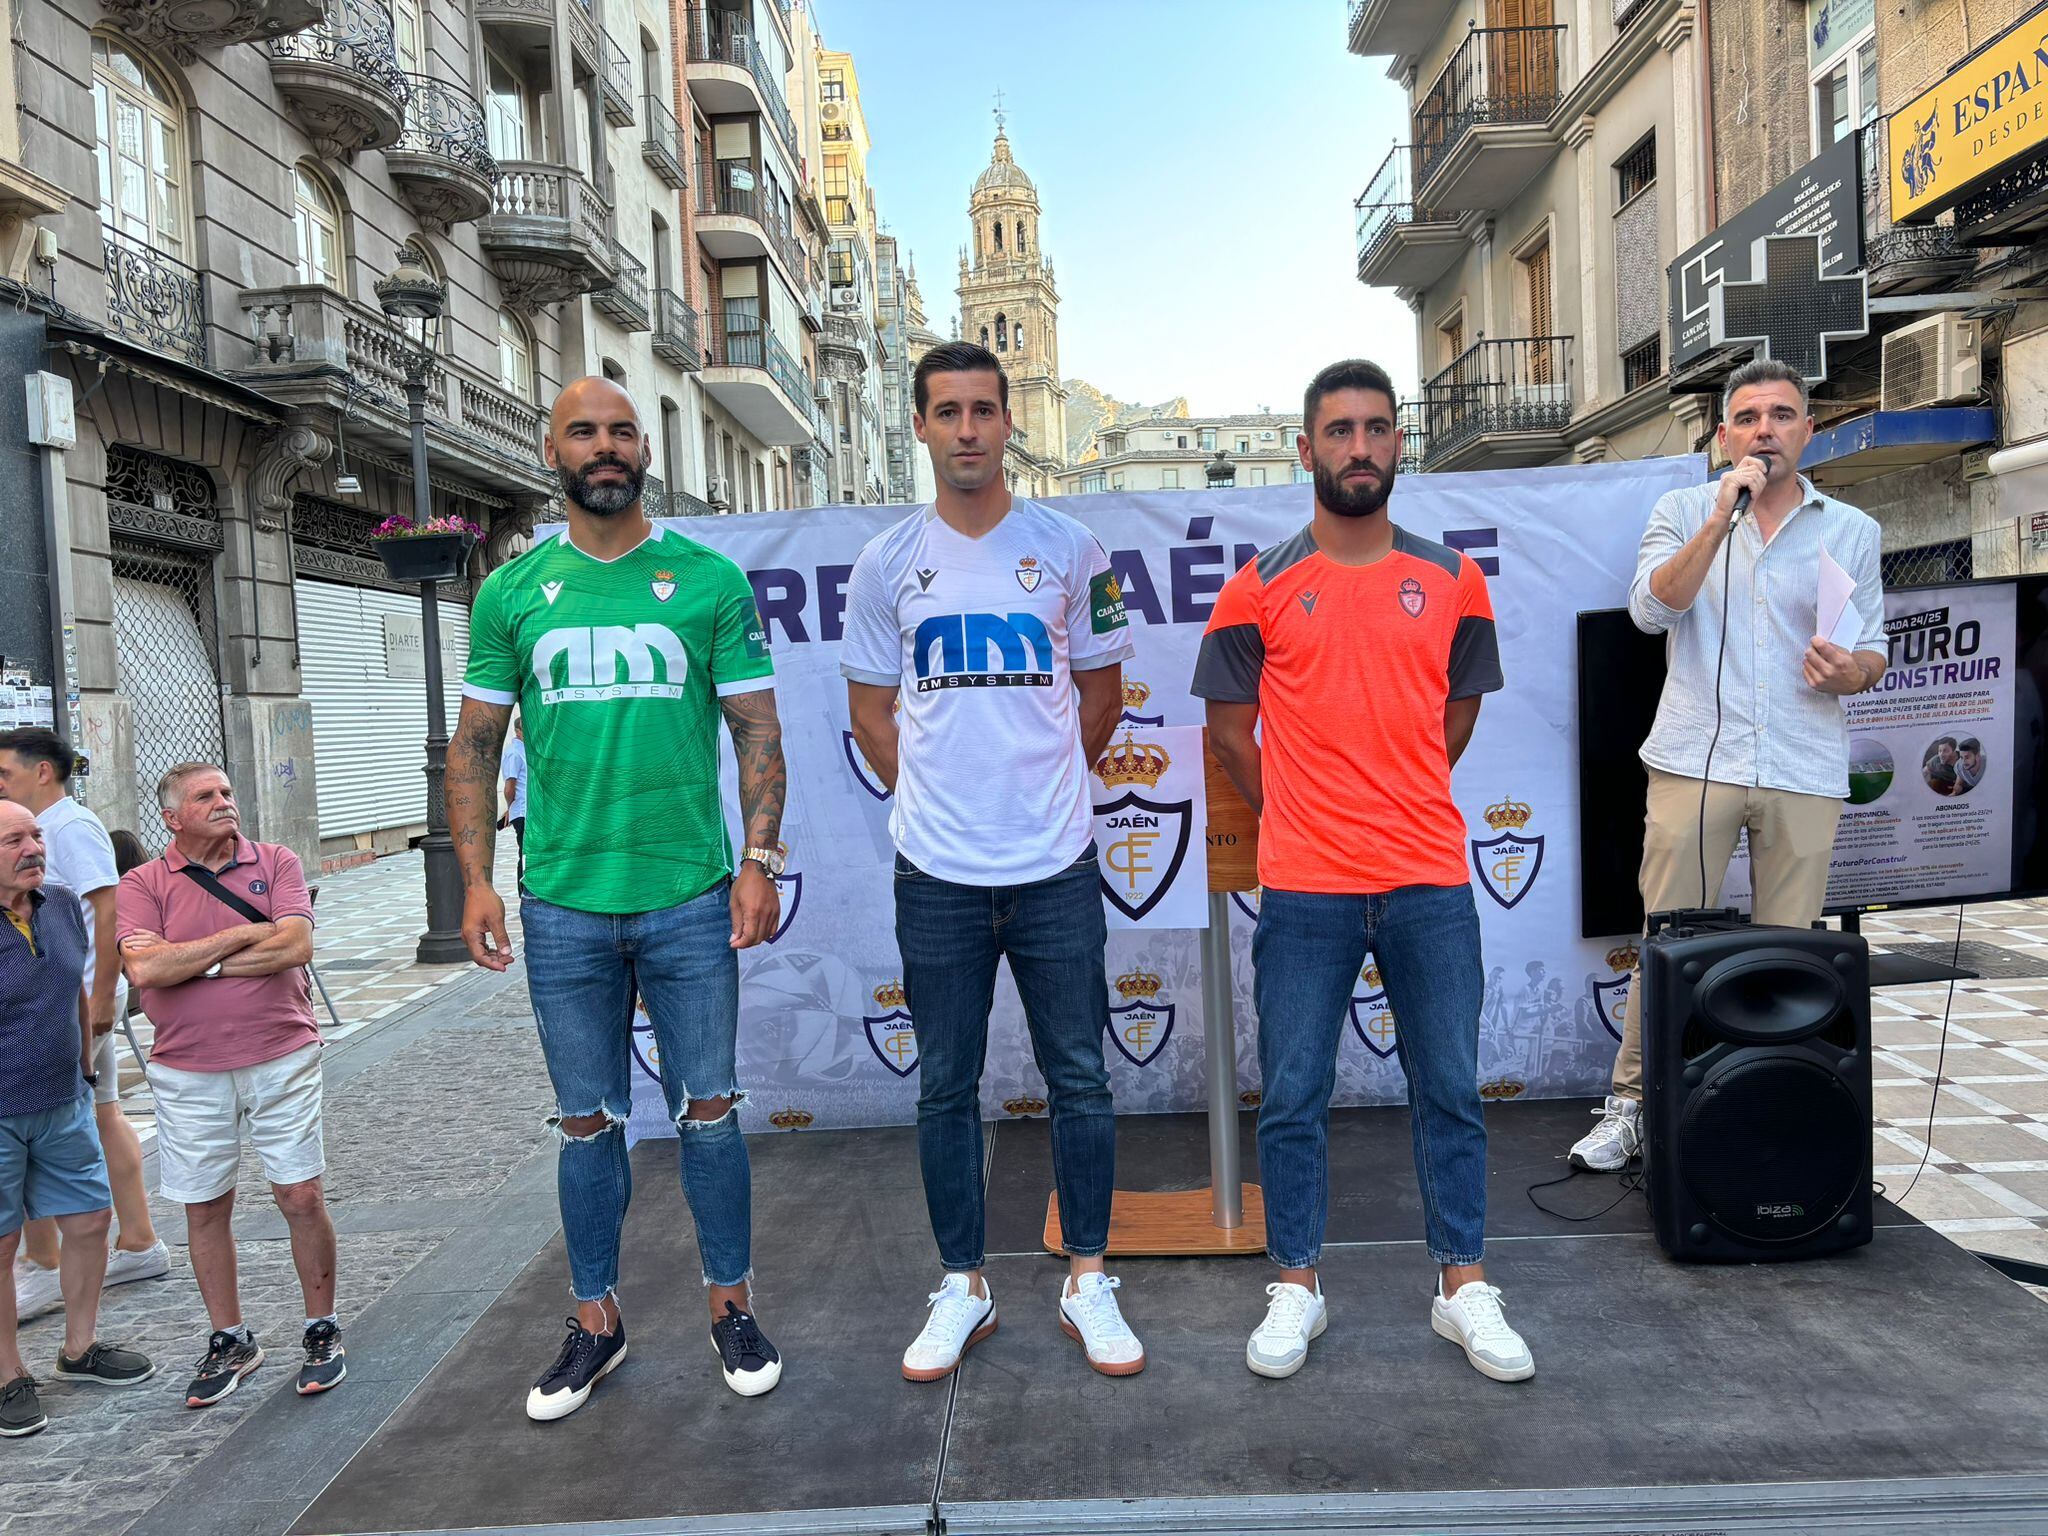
(585, 970)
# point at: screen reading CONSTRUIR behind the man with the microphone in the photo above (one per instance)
(1930, 808)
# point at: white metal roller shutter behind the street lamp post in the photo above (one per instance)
(370, 728)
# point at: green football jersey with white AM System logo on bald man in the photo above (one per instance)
(617, 669)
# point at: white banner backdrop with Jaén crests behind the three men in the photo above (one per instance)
(824, 1035)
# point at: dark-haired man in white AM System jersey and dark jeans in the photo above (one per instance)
(1000, 628)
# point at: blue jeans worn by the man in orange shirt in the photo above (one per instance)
(1308, 955)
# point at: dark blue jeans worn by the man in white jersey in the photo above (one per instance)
(1052, 933)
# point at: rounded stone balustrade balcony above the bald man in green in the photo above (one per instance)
(550, 234)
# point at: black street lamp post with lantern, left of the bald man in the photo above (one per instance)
(415, 302)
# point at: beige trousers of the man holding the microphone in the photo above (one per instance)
(1791, 839)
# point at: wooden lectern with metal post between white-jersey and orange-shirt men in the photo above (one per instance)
(1224, 1215)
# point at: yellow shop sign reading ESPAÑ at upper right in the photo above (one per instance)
(1990, 112)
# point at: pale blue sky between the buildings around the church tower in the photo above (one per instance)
(1215, 144)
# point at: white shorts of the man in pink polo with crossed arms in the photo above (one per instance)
(200, 1119)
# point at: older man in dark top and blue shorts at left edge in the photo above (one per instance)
(50, 1146)
